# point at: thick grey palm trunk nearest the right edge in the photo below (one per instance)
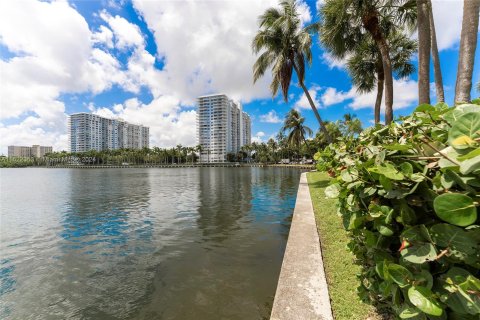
(468, 44)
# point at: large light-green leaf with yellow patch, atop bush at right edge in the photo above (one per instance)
(465, 130)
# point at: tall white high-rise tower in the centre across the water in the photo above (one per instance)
(222, 127)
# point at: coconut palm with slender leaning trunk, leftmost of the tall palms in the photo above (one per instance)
(286, 47)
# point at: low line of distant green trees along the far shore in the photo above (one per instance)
(294, 142)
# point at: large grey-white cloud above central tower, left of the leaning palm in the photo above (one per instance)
(205, 47)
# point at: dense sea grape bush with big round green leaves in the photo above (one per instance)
(409, 194)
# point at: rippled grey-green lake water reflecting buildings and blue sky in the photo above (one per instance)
(191, 243)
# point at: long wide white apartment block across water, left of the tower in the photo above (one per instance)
(92, 132)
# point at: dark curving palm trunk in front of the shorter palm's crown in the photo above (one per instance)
(371, 23)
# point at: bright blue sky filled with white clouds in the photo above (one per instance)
(146, 61)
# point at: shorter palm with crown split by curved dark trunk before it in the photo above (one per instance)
(366, 69)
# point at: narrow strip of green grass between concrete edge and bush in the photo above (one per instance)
(338, 262)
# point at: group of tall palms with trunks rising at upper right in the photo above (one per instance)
(373, 37)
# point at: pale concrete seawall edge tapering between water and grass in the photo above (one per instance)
(302, 291)
